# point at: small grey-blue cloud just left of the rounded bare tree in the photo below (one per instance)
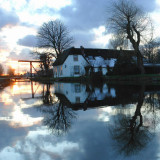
(28, 41)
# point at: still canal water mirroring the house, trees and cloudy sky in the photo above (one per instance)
(72, 121)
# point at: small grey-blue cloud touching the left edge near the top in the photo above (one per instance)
(8, 18)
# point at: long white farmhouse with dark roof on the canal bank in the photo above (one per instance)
(73, 61)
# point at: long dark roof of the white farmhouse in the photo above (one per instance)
(86, 52)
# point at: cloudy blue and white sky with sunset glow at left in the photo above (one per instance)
(85, 19)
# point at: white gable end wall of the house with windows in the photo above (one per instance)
(68, 67)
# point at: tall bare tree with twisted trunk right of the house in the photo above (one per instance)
(129, 21)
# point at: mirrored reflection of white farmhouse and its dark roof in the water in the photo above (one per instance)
(83, 96)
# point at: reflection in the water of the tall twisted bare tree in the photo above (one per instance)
(130, 133)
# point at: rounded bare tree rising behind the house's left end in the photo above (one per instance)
(54, 36)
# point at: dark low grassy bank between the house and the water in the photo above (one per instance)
(145, 78)
